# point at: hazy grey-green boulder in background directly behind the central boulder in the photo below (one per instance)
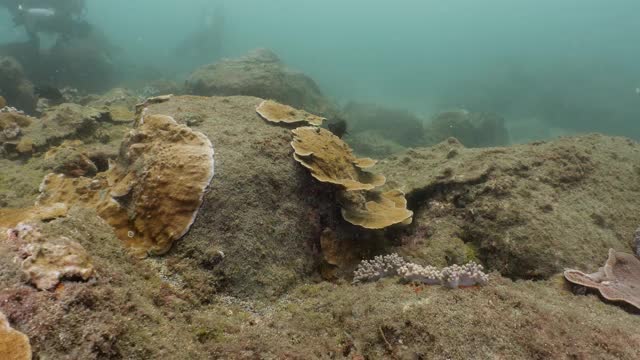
(262, 74)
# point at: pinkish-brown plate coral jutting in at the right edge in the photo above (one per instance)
(617, 280)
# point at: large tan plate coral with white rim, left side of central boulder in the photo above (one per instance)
(152, 193)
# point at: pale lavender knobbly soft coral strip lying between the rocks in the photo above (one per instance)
(454, 276)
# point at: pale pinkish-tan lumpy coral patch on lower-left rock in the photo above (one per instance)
(49, 260)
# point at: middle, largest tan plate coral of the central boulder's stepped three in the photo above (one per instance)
(331, 160)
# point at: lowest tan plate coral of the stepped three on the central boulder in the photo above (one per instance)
(375, 210)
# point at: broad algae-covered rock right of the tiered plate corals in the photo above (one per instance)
(528, 210)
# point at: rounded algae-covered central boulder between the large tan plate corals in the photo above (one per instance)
(258, 225)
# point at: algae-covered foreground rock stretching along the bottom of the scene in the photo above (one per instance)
(150, 309)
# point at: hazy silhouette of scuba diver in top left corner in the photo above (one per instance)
(62, 48)
